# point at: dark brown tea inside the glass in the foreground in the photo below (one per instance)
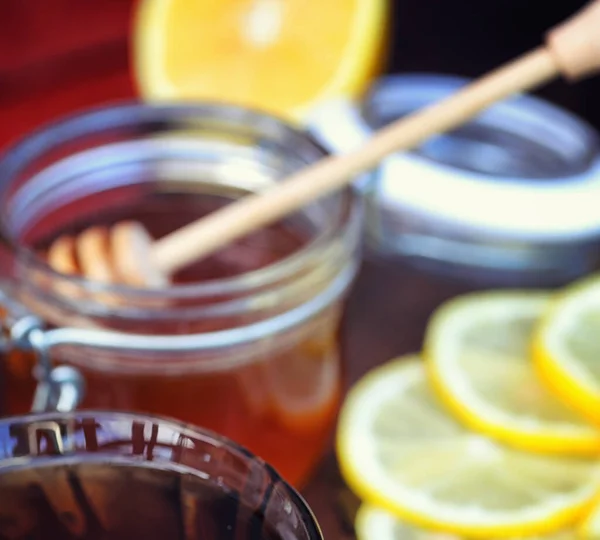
(115, 502)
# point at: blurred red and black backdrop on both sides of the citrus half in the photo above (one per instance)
(60, 55)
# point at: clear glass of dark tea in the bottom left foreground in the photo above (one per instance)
(113, 476)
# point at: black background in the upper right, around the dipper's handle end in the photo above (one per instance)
(470, 37)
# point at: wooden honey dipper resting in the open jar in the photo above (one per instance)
(127, 254)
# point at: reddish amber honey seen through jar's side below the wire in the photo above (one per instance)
(270, 407)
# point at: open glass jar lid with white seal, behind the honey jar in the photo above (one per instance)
(516, 189)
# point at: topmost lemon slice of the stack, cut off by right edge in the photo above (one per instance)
(566, 347)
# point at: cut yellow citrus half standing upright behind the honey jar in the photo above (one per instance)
(282, 56)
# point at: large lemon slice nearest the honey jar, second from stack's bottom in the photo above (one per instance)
(400, 450)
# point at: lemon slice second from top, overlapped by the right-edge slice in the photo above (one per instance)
(477, 349)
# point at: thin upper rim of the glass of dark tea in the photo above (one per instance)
(178, 426)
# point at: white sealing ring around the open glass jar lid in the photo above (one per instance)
(565, 209)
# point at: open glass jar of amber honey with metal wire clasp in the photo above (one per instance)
(244, 343)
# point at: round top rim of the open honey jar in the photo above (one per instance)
(124, 113)
